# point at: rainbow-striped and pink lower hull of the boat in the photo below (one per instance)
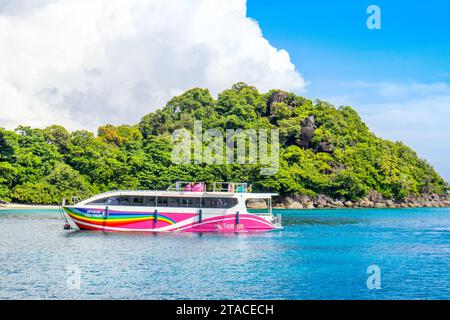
(121, 221)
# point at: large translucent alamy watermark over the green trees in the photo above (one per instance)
(239, 146)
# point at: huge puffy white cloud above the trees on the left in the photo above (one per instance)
(88, 62)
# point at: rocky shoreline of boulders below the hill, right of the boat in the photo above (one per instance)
(373, 200)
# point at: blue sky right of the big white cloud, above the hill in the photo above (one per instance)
(398, 77)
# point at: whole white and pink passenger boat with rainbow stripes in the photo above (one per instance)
(183, 207)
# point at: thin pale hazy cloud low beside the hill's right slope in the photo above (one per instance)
(415, 113)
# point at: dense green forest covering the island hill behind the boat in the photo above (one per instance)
(324, 150)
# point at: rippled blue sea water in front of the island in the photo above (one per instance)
(320, 254)
